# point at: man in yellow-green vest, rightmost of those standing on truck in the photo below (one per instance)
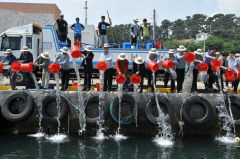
(145, 32)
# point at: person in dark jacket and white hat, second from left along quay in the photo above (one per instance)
(27, 57)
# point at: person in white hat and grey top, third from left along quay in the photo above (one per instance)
(43, 61)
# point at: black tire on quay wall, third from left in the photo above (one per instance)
(93, 101)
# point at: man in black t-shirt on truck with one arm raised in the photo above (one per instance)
(102, 30)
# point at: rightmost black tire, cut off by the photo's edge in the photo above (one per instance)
(235, 101)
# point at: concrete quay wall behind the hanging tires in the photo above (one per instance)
(71, 124)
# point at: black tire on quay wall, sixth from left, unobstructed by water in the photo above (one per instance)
(186, 110)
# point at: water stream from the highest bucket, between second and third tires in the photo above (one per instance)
(82, 115)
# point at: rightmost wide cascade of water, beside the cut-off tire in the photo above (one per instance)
(223, 115)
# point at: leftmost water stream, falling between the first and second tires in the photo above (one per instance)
(39, 102)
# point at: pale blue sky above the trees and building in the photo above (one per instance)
(125, 11)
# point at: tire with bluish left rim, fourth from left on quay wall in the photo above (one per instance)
(115, 107)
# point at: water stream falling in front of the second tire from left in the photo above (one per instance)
(58, 100)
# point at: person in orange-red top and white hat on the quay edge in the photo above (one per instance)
(122, 67)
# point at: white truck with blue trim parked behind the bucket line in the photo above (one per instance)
(45, 39)
